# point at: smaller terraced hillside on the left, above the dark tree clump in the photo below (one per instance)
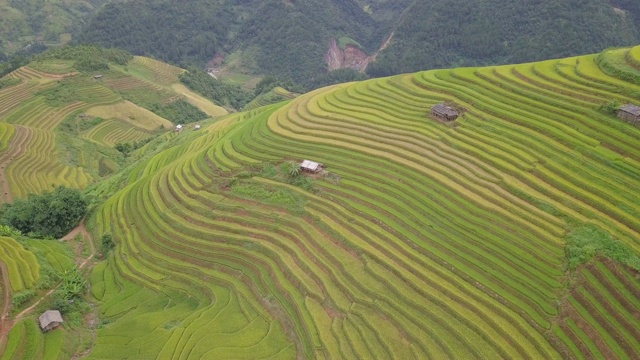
(60, 125)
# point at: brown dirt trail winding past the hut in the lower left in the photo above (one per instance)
(6, 324)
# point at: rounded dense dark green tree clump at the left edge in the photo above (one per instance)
(51, 214)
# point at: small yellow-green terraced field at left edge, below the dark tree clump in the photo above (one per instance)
(22, 265)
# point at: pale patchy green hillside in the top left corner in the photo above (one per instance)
(51, 21)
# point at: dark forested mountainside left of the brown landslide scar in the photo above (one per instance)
(282, 38)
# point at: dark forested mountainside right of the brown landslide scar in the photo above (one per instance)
(445, 33)
